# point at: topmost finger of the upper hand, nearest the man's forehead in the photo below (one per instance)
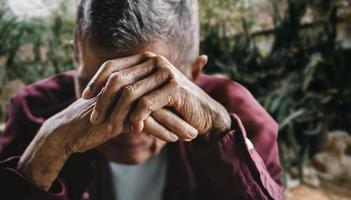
(101, 76)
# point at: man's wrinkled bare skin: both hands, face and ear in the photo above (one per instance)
(130, 109)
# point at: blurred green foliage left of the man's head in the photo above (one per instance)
(31, 49)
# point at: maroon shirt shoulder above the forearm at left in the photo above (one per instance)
(38, 101)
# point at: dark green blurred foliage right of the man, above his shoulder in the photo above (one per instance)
(303, 80)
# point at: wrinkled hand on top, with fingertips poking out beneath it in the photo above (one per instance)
(144, 85)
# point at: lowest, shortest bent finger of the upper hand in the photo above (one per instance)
(151, 102)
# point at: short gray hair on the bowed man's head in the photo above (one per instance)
(124, 25)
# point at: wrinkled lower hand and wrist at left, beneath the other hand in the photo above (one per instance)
(65, 133)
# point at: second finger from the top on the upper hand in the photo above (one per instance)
(114, 85)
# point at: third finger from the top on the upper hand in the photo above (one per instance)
(133, 92)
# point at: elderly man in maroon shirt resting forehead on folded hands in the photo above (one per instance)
(137, 119)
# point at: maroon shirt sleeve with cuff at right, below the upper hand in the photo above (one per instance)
(235, 170)
